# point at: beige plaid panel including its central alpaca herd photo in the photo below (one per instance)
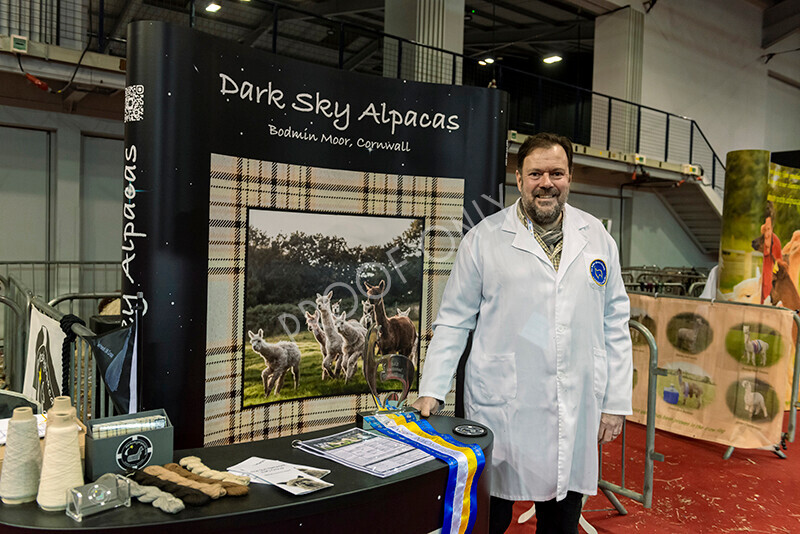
(296, 276)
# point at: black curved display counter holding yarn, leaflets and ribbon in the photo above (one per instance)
(406, 503)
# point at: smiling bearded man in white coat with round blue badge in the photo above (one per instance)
(550, 369)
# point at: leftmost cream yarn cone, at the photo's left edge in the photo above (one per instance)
(19, 480)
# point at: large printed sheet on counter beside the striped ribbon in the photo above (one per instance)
(374, 454)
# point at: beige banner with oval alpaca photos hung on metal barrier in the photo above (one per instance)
(728, 366)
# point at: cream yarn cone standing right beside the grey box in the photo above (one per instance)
(61, 465)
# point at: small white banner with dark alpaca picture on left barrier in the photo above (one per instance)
(43, 361)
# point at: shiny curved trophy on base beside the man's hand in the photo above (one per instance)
(386, 368)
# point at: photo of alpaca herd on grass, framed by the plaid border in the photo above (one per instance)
(315, 283)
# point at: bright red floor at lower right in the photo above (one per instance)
(695, 490)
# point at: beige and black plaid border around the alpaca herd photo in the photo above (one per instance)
(238, 184)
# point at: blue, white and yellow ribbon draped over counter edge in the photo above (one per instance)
(465, 464)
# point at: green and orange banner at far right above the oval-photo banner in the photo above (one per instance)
(760, 242)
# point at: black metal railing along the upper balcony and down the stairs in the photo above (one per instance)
(537, 103)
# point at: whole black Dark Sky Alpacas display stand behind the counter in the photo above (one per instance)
(263, 198)
